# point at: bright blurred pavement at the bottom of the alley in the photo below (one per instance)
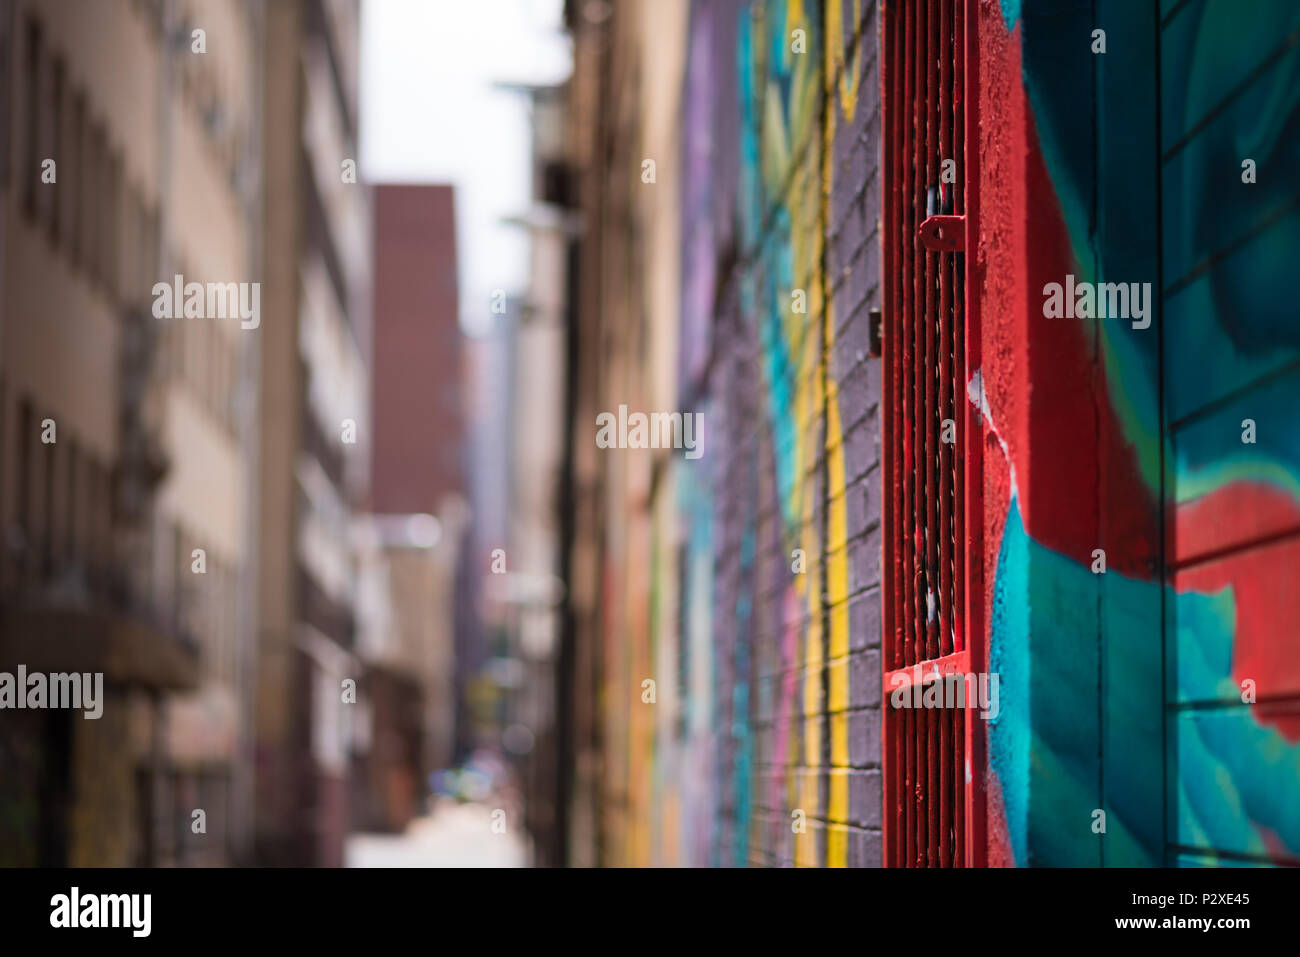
(454, 835)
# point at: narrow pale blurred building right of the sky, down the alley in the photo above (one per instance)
(527, 587)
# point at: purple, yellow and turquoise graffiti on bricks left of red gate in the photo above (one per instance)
(779, 754)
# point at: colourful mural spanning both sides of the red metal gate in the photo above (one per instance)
(1169, 448)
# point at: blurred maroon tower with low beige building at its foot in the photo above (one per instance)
(414, 540)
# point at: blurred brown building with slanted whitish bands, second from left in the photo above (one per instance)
(315, 443)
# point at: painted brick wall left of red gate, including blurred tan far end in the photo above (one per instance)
(744, 583)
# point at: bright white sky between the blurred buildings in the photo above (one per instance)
(430, 114)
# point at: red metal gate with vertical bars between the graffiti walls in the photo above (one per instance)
(933, 596)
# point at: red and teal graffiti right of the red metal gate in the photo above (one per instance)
(1126, 692)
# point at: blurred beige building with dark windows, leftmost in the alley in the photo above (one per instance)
(125, 482)
